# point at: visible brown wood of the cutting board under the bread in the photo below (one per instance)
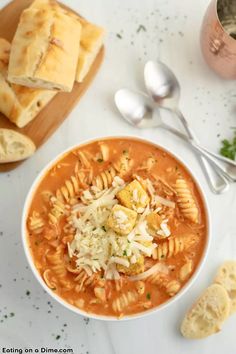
(52, 116)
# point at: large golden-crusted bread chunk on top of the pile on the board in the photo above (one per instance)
(45, 50)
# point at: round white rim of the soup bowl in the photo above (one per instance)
(75, 309)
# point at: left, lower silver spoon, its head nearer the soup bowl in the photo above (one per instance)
(138, 110)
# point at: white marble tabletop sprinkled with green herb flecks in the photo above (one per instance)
(172, 34)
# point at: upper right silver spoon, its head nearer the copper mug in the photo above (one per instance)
(164, 88)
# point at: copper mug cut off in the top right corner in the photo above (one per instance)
(218, 37)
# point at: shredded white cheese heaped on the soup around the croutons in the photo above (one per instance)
(97, 247)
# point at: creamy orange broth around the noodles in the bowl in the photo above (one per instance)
(168, 169)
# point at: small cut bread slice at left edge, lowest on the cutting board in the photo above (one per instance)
(14, 146)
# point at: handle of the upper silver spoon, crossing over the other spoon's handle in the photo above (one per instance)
(216, 177)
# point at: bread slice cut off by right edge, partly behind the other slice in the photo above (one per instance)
(226, 276)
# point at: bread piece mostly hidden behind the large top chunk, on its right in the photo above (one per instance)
(91, 41)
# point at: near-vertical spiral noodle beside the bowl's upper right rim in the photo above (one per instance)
(186, 201)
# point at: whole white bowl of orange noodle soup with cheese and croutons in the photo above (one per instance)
(116, 228)
